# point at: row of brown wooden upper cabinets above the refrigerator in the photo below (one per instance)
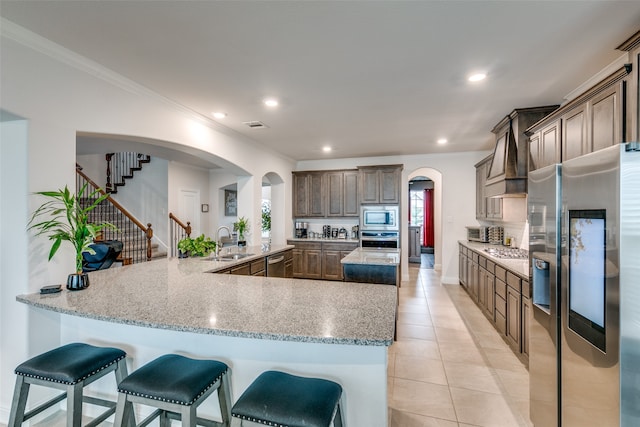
(593, 120)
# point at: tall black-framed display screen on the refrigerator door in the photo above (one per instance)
(587, 255)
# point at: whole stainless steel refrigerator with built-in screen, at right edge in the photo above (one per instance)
(597, 364)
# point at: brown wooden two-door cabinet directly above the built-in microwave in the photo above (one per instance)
(380, 184)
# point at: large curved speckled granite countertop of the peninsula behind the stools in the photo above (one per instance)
(180, 295)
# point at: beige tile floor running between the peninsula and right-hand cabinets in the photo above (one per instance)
(449, 367)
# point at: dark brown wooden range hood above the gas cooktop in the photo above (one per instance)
(507, 171)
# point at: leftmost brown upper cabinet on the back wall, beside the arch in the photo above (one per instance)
(308, 194)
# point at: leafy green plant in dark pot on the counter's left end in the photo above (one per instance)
(63, 218)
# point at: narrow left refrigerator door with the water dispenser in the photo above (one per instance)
(544, 203)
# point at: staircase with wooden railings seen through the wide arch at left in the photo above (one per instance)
(135, 236)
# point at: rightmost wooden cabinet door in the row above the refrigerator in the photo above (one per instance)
(606, 124)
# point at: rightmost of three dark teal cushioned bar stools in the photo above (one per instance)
(280, 399)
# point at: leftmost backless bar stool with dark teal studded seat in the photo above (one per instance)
(69, 368)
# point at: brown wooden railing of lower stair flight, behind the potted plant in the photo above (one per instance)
(135, 236)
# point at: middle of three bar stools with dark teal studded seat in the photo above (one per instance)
(176, 386)
